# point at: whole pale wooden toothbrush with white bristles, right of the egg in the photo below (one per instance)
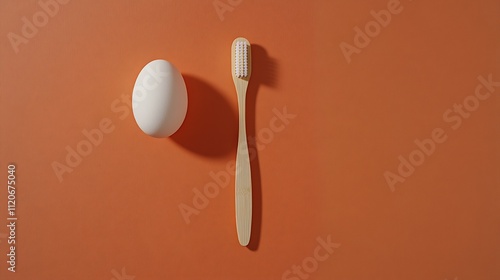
(241, 69)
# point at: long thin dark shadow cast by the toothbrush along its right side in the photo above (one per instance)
(264, 72)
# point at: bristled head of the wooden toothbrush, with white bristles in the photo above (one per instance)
(241, 59)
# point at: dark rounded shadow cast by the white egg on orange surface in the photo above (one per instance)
(211, 125)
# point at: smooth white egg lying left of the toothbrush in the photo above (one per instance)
(159, 99)
